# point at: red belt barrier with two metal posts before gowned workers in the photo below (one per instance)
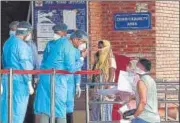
(53, 72)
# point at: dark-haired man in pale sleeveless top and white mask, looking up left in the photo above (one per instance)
(146, 96)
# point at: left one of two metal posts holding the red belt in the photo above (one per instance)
(10, 93)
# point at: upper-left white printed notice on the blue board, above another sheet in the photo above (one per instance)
(45, 30)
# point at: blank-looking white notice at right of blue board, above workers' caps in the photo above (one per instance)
(69, 18)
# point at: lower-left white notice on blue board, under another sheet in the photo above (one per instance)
(41, 42)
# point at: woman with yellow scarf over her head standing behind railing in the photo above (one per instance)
(104, 61)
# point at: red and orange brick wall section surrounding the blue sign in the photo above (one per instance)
(123, 42)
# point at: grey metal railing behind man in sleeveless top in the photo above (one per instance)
(174, 90)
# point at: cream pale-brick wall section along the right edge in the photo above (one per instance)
(167, 40)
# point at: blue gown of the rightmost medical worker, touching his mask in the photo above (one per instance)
(71, 84)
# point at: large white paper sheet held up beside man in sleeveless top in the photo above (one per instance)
(125, 82)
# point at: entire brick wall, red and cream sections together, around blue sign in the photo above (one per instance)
(159, 44)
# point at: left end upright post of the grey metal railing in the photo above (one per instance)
(87, 103)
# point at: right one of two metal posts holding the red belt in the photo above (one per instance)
(52, 85)
